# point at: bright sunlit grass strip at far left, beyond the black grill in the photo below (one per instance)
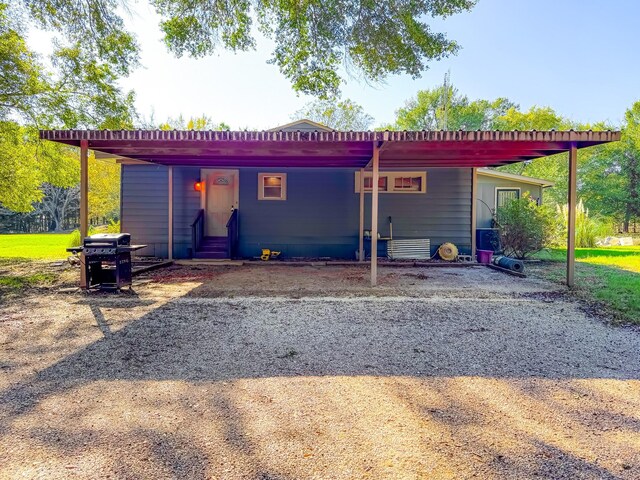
(40, 246)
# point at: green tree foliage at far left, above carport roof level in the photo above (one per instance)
(79, 91)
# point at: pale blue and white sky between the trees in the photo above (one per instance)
(580, 57)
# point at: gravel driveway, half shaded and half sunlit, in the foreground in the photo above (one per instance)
(277, 372)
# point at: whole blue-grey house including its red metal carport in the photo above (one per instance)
(307, 190)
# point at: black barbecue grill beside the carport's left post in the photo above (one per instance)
(105, 260)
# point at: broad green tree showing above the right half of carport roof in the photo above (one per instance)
(444, 108)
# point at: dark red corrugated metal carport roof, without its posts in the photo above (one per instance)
(405, 149)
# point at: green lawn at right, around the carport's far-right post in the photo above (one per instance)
(610, 275)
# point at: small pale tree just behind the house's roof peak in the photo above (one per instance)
(339, 115)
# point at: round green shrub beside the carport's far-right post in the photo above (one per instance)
(525, 227)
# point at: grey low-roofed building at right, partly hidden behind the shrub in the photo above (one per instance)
(495, 188)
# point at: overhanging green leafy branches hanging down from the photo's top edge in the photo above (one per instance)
(314, 39)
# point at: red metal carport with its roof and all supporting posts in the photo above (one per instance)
(373, 151)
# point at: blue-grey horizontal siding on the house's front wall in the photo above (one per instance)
(318, 219)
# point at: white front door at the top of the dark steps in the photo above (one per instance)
(220, 198)
